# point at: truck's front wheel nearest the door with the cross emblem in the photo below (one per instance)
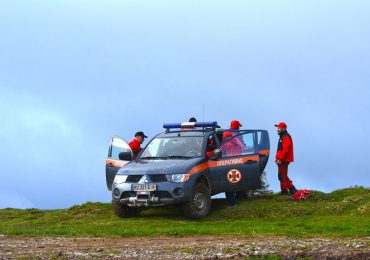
(199, 204)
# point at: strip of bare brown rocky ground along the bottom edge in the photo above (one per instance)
(195, 247)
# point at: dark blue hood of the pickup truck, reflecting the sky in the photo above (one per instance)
(169, 166)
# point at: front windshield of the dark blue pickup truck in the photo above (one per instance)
(179, 147)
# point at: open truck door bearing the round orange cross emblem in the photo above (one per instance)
(238, 168)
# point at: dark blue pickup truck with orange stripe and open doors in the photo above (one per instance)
(186, 164)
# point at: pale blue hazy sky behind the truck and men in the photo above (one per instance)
(75, 73)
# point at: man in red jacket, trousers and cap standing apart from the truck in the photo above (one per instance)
(284, 156)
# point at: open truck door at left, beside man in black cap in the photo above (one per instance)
(113, 163)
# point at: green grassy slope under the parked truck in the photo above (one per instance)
(342, 213)
